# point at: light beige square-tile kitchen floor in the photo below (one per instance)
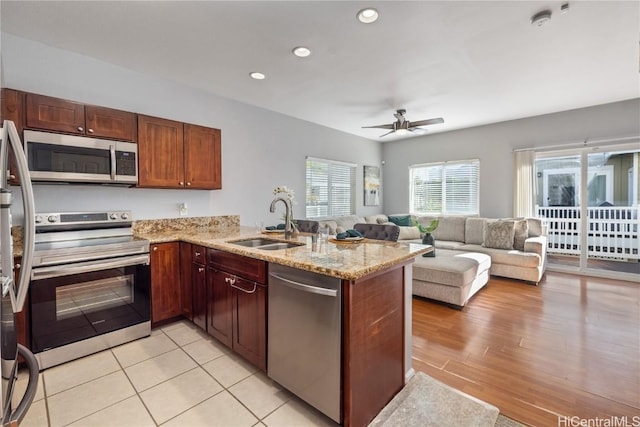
(179, 376)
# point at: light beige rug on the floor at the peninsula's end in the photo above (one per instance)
(425, 402)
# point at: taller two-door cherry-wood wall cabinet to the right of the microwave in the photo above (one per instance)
(178, 155)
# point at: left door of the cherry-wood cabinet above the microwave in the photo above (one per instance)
(45, 112)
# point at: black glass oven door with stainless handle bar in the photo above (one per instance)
(73, 302)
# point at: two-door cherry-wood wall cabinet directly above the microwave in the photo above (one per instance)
(61, 115)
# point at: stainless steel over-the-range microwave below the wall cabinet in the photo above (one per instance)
(68, 158)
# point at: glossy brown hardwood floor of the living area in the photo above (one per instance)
(569, 347)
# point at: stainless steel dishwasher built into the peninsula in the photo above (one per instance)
(305, 329)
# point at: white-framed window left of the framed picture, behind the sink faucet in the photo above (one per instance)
(330, 188)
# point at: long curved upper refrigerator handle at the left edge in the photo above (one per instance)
(17, 300)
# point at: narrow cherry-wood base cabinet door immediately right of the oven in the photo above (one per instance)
(165, 281)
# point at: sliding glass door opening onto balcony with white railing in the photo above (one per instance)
(589, 200)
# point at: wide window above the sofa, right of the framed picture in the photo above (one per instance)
(450, 188)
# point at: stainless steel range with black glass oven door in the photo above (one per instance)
(90, 285)
